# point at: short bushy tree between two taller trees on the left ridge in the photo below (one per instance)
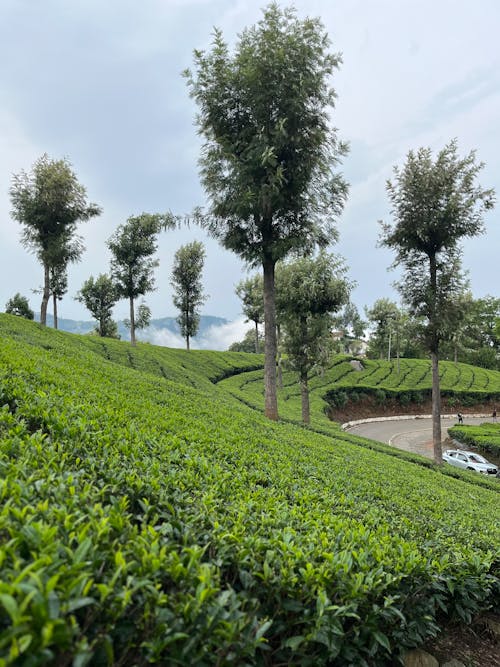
(99, 296)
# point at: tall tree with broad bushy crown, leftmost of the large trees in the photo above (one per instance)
(49, 202)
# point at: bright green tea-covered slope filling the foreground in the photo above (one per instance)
(148, 516)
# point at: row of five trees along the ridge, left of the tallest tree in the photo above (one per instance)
(49, 202)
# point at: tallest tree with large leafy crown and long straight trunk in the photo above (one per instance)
(270, 149)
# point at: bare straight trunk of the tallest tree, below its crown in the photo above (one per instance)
(271, 401)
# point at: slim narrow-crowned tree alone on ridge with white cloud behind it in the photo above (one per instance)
(186, 281)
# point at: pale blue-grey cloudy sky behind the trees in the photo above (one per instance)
(98, 82)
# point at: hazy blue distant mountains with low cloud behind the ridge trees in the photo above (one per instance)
(163, 324)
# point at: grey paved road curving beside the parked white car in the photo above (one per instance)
(412, 435)
